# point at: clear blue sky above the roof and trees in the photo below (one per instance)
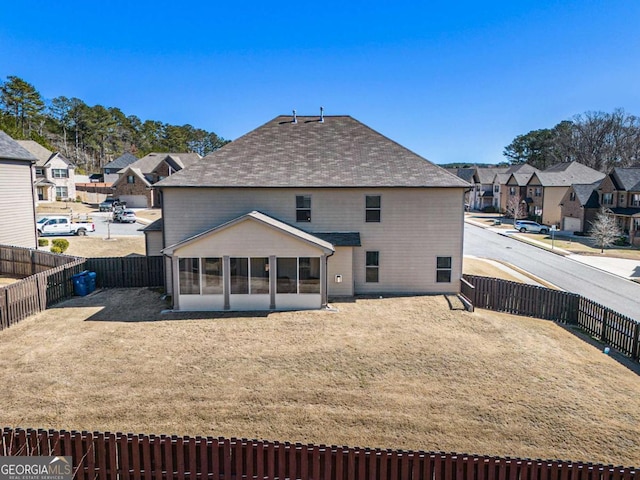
(452, 81)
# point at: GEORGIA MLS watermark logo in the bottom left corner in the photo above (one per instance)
(36, 468)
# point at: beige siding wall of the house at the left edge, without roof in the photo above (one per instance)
(16, 198)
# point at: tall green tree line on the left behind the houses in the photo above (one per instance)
(92, 136)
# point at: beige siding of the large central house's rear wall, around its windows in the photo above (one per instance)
(417, 225)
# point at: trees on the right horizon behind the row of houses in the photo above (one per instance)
(599, 140)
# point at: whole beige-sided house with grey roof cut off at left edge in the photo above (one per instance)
(16, 194)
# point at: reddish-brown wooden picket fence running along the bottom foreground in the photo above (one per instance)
(128, 456)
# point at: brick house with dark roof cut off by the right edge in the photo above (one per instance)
(620, 194)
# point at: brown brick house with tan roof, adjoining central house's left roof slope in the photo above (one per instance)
(135, 180)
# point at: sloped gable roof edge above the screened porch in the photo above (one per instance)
(259, 217)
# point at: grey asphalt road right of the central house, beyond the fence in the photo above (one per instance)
(617, 293)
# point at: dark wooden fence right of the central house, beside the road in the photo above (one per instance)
(609, 326)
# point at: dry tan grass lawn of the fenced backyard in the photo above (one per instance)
(393, 372)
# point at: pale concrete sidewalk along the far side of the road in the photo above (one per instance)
(622, 267)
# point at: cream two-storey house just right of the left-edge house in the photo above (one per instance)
(54, 174)
